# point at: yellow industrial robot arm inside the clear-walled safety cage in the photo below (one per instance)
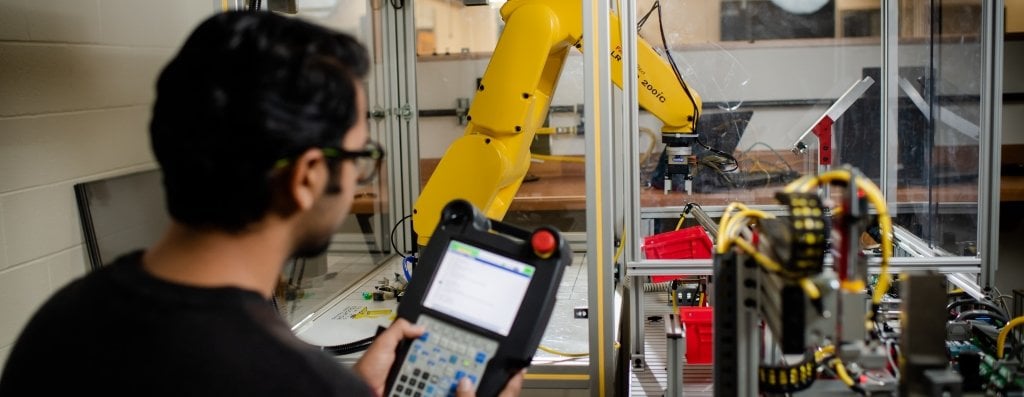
(488, 164)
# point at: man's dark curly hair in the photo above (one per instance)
(248, 90)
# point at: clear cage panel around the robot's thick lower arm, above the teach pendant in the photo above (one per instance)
(455, 46)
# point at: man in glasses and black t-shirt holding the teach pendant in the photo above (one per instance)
(261, 130)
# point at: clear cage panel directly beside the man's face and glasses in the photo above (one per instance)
(360, 245)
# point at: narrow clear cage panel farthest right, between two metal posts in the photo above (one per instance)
(940, 102)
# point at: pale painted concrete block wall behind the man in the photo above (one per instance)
(77, 82)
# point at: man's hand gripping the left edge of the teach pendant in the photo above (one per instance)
(376, 363)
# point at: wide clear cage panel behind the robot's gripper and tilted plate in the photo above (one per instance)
(767, 71)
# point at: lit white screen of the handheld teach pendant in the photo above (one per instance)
(480, 287)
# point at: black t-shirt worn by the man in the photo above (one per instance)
(119, 331)
